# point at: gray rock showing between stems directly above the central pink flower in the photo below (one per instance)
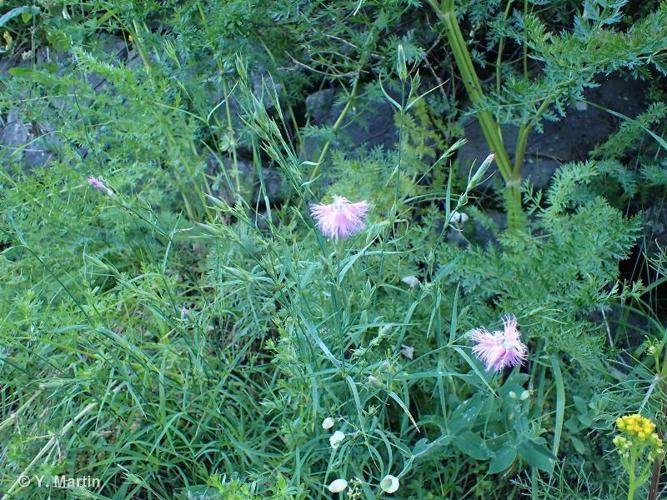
(368, 126)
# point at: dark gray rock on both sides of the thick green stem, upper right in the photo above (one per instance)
(567, 140)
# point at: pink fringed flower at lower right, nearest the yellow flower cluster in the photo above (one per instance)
(500, 349)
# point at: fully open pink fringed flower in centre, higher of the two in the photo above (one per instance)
(340, 219)
